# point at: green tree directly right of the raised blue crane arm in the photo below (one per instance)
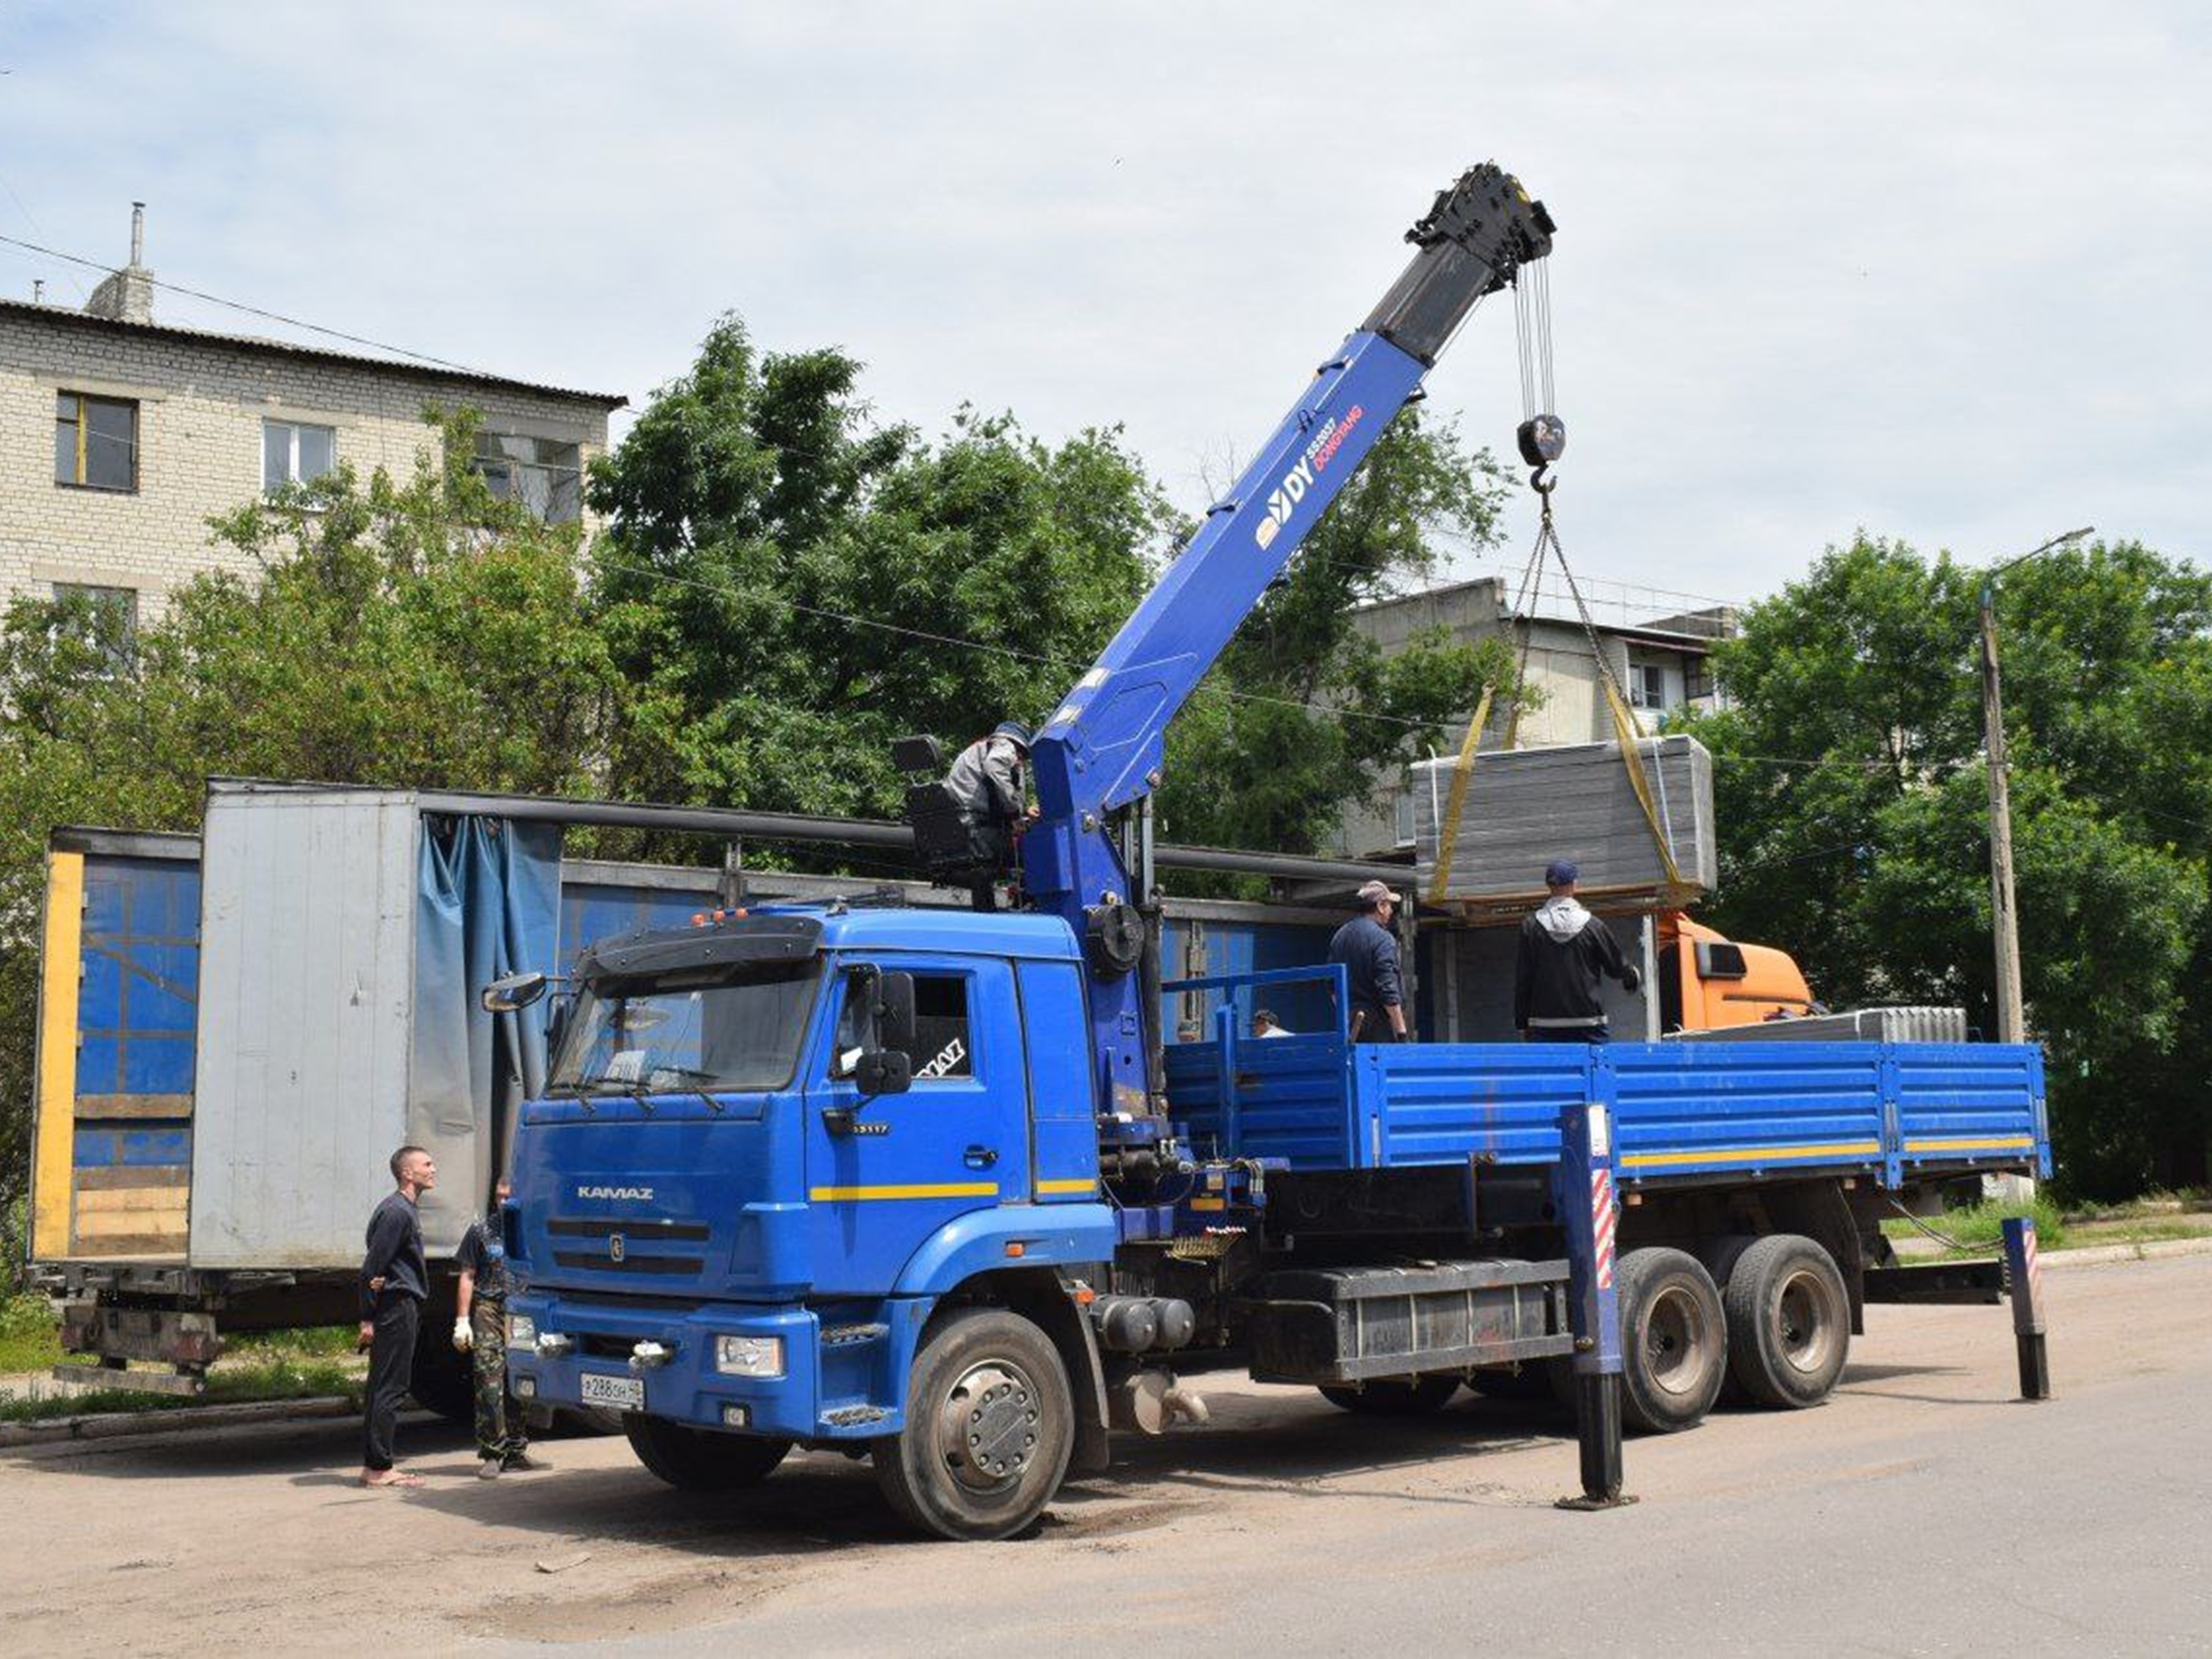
(1304, 716)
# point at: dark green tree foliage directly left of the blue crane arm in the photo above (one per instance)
(791, 587)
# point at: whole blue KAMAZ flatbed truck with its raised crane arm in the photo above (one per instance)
(930, 1187)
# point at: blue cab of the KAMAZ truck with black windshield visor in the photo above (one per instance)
(773, 1145)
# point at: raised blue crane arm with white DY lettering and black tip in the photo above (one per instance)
(1105, 744)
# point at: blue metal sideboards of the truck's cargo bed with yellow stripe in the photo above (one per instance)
(1709, 1112)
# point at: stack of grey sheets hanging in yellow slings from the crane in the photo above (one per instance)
(1525, 808)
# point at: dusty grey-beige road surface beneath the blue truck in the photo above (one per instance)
(1923, 1510)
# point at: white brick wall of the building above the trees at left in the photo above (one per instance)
(202, 404)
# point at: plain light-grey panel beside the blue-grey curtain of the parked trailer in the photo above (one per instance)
(304, 1023)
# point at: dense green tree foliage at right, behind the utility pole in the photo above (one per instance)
(1855, 811)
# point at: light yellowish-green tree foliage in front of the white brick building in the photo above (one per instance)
(410, 634)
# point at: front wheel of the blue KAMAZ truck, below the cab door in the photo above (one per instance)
(990, 1430)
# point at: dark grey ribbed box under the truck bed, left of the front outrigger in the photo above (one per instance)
(1361, 1324)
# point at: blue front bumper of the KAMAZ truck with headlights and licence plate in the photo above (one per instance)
(835, 1386)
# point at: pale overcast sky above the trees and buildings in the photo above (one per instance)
(1939, 271)
